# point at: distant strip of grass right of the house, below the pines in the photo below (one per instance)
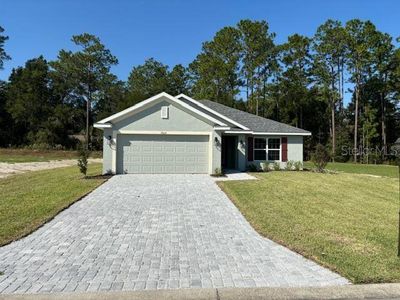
(377, 170)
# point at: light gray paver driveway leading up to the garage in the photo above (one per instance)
(152, 232)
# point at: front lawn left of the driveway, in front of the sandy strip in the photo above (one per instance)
(29, 200)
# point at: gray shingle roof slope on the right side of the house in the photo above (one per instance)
(253, 122)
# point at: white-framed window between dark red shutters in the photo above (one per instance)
(267, 149)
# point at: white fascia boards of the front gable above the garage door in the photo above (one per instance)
(154, 98)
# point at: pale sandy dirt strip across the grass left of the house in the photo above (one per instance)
(8, 169)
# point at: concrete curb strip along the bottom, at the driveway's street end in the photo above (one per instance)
(370, 291)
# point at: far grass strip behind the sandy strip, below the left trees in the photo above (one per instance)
(27, 155)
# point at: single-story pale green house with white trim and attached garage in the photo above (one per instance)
(166, 134)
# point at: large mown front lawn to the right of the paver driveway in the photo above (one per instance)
(346, 222)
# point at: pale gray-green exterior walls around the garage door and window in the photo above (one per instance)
(180, 120)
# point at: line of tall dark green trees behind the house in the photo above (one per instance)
(302, 82)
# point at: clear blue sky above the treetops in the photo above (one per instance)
(170, 31)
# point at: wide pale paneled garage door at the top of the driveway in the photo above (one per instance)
(162, 154)
